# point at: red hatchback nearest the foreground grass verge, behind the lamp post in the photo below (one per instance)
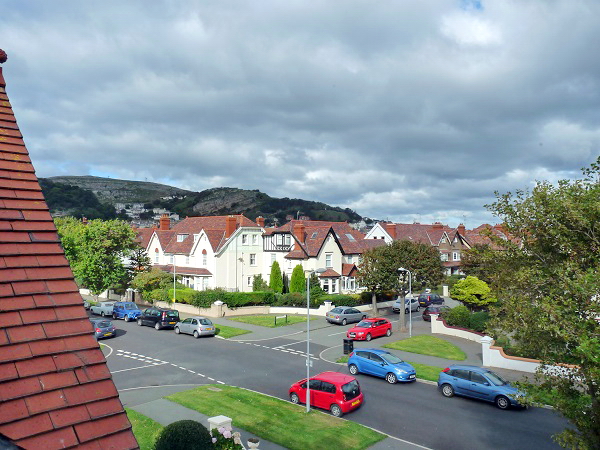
(337, 392)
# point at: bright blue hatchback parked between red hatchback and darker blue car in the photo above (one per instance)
(380, 363)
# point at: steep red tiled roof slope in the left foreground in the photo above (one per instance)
(55, 387)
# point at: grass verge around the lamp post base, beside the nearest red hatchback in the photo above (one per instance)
(276, 420)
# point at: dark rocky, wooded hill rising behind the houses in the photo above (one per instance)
(215, 201)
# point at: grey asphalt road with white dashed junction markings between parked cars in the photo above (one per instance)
(141, 357)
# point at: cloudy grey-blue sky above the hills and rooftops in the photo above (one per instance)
(400, 110)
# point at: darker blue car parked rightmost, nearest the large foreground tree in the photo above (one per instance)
(480, 383)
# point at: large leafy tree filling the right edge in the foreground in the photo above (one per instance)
(549, 301)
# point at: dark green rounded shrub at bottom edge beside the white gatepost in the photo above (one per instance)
(184, 435)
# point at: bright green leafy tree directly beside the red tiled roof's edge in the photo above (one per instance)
(96, 251)
